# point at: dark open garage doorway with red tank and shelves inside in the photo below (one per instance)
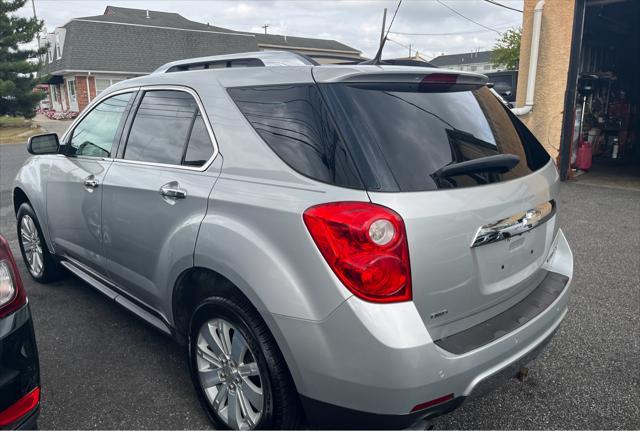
(606, 140)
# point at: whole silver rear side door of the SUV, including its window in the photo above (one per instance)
(156, 193)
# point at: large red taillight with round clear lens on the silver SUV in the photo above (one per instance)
(366, 247)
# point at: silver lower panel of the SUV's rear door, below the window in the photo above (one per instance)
(149, 239)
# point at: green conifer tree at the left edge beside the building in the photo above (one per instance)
(18, 64)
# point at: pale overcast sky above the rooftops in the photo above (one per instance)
(355, 23)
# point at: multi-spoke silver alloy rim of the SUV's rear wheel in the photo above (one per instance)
(229, 374)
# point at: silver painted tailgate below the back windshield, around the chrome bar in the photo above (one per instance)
(456, 286)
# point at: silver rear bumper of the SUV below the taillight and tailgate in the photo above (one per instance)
(381, 360)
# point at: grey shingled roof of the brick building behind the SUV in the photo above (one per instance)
(103, 43)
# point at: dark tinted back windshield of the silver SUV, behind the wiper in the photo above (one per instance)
(408, 135)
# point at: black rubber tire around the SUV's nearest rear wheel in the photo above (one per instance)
(281, 408)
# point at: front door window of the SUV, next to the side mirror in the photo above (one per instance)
(96, 133)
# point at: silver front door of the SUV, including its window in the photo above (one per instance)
(74, 192)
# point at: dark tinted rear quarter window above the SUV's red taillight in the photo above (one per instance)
(295, 123)
